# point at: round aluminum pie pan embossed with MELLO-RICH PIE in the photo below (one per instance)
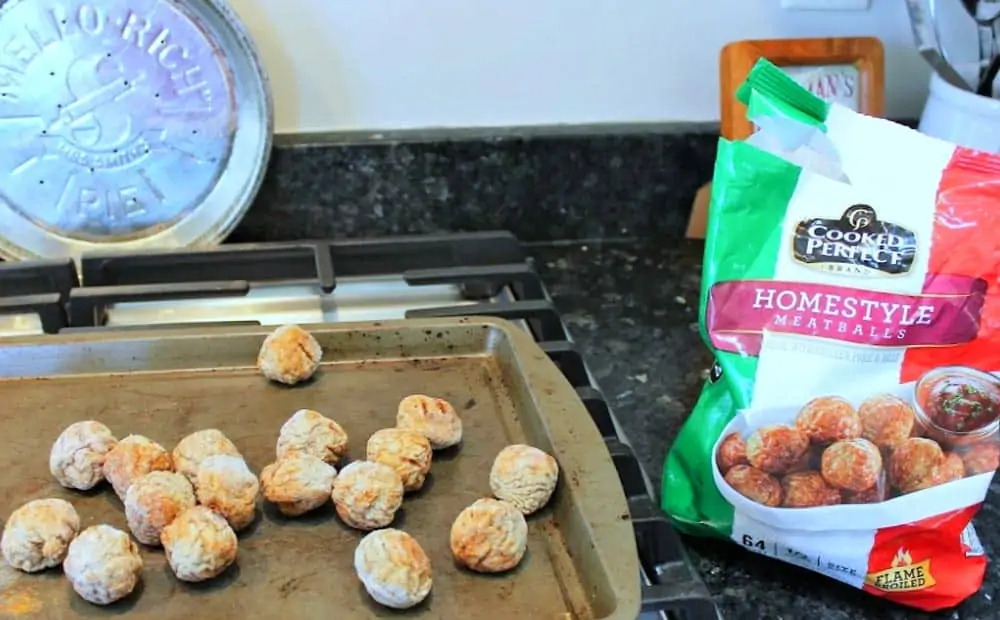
(127, 125)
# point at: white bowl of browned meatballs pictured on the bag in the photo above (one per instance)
(869, 454)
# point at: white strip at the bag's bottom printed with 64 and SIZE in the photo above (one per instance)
(840, 554)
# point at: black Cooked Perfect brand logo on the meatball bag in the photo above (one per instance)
(857, 244)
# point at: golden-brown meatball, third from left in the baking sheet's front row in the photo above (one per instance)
(199, 544)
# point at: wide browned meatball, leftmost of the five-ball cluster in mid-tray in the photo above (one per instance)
(297, 483)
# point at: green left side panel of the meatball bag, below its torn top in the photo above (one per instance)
(751, 190)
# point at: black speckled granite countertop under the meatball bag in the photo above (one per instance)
(632, 309)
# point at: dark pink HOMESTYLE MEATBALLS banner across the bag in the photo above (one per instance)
(945, 313)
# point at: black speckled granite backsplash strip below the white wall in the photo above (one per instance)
(568, 187)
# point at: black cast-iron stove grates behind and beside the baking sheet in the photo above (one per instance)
(481, 264)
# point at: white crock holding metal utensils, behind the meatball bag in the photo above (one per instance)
(961, 117)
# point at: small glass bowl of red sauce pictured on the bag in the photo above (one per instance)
(958, 406)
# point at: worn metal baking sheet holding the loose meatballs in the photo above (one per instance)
(581, 562)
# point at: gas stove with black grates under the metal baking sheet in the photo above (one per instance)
(475, 274)
